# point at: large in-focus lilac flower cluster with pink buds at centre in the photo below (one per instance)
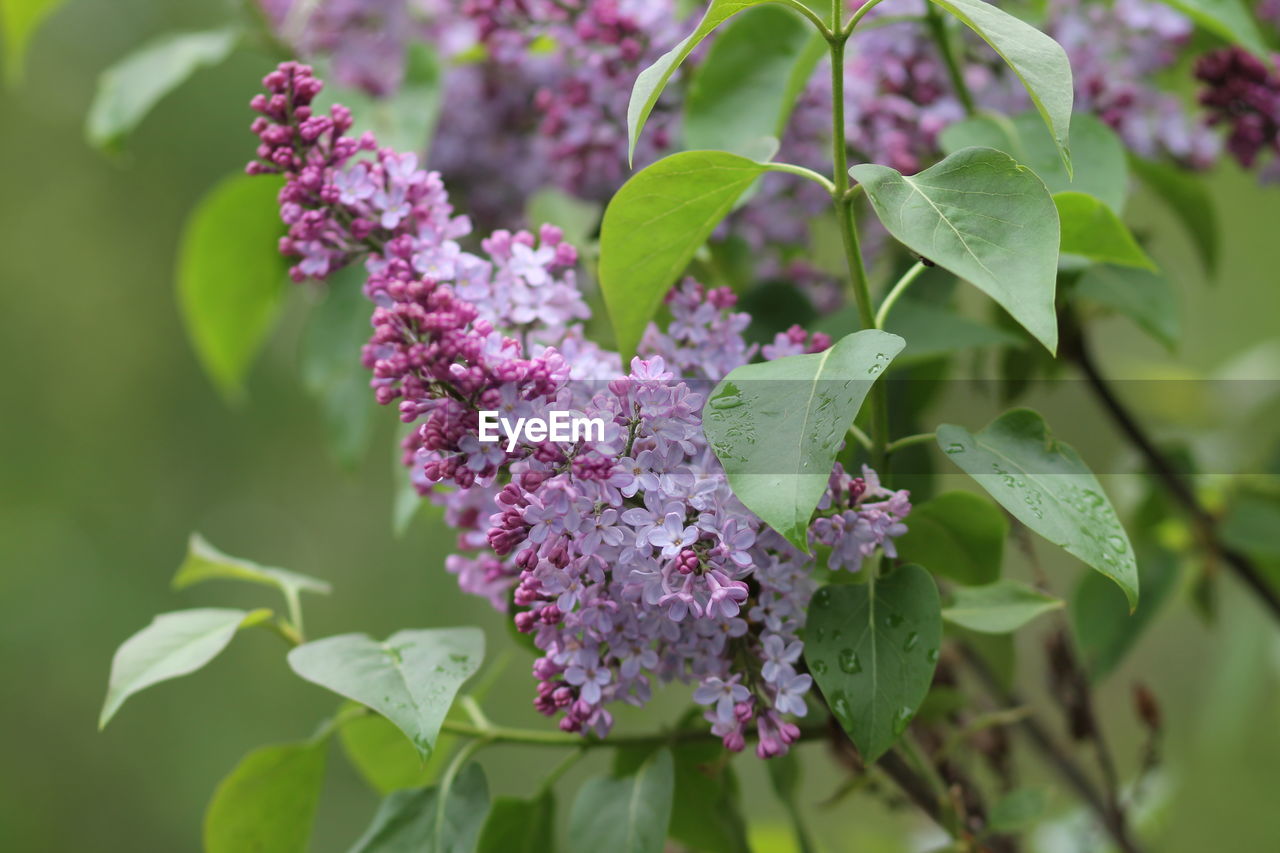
(627, 556)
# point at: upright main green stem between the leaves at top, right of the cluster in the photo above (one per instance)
(849, 232)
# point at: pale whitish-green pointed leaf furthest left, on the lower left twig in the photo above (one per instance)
(173, 645)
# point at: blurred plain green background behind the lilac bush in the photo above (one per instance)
(116, 448)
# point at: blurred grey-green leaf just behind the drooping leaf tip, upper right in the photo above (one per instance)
(1101, 168)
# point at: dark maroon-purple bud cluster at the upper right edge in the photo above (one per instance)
(1244, 93)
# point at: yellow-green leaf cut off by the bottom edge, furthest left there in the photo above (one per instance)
(268, 802)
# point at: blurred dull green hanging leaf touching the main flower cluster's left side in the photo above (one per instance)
(332, 372)
